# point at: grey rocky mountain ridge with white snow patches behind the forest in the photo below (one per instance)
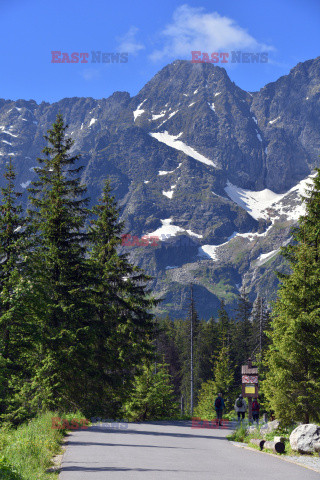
(215, 172)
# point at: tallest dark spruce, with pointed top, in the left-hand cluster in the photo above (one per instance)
(59, 271)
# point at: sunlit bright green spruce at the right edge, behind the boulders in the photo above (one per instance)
(292, 385)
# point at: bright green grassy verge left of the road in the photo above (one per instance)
(26, 452)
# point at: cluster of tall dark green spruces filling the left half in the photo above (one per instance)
(75, 320)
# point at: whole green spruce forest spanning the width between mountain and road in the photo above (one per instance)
(76, 325)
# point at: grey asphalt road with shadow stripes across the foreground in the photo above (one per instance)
(168, 450)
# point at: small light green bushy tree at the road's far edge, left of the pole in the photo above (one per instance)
(153, 395)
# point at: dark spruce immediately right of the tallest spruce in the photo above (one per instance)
(122, 323)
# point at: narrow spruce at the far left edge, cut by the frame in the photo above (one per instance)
(13, 325)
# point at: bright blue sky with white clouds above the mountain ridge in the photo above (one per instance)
(154, 34)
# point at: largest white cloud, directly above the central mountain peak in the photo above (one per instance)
(193, 29)
